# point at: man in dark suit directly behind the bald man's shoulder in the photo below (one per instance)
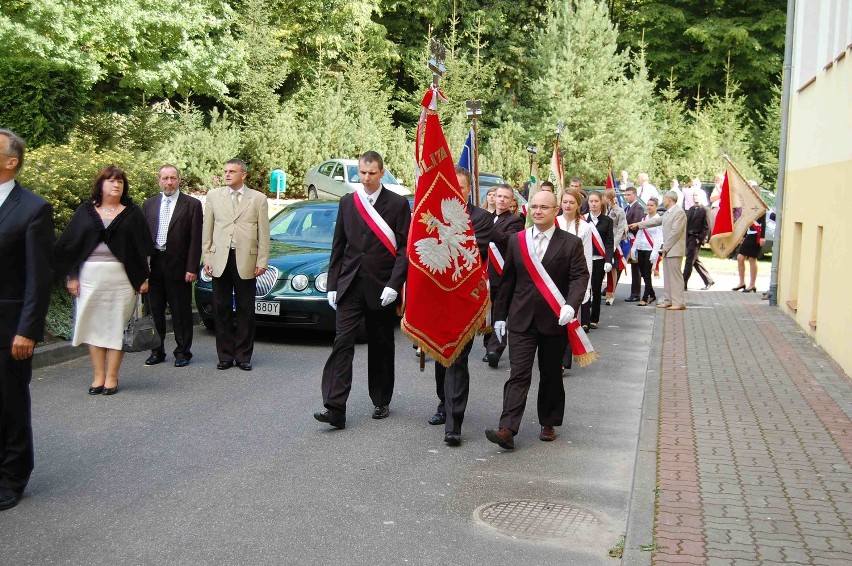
(505, 224)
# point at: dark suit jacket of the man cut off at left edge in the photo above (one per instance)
(26, 246)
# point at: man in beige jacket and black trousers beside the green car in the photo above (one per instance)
(235, 247)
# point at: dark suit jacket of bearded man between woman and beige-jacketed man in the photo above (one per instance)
(183, 240)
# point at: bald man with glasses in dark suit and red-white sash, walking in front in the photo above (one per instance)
(532, 322)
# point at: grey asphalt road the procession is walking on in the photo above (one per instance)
(199, 466)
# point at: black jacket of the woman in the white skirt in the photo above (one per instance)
(127, 237)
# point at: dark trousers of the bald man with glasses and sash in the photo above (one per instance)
(551, 392)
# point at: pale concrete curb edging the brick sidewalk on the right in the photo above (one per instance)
(640, 518)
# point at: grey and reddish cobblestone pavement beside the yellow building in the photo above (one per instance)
(754, 444)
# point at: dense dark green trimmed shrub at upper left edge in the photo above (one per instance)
(41, 100)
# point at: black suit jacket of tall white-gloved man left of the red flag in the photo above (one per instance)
(357, 251)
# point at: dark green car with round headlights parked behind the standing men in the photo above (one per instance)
(292, 292)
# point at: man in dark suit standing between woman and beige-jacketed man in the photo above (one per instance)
(175, 221)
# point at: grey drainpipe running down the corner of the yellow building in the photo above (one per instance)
(782, 150)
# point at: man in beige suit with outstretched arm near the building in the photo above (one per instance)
(674, 248)
